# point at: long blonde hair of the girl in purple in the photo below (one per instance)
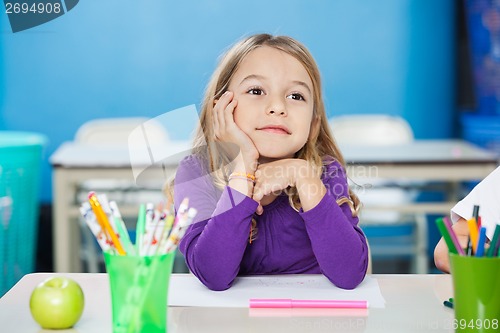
(320, 142)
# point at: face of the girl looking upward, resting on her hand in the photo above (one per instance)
(275, 102)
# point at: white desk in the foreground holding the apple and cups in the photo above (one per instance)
(414, 303)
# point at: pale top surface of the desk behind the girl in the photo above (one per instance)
(75, 155)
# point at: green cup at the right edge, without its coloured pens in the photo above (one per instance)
(476, 287)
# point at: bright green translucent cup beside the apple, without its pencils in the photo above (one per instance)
(139, 291)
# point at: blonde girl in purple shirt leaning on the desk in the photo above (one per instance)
(266, 175)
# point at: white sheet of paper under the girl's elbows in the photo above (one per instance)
(187, 290)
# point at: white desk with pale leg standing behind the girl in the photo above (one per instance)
(443, 160)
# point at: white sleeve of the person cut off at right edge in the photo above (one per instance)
(486, 195)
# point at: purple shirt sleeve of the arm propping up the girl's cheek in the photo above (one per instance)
(214, 244)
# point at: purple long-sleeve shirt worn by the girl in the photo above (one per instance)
(325, 239)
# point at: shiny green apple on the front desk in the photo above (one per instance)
(57, 303)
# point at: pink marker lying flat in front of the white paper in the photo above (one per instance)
(276, 303)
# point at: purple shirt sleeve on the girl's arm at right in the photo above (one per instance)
(337, 241)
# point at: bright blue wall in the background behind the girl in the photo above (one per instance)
(114, 58)
